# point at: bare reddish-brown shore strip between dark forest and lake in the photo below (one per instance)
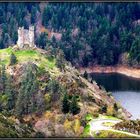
(128, 71)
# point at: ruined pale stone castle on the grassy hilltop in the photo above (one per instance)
(25, 37)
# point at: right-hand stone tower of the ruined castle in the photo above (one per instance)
(31, 36)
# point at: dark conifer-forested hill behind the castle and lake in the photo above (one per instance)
(92, 33)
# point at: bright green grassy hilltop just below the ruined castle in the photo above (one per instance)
(27, 55)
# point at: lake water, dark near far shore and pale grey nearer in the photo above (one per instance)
(126, 90)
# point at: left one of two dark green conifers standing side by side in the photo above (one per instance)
(65, 104)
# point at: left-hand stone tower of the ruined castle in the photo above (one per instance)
(20, 41)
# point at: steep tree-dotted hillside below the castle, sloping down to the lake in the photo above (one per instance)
(39, 92)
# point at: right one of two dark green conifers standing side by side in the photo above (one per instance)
(74, 108)
